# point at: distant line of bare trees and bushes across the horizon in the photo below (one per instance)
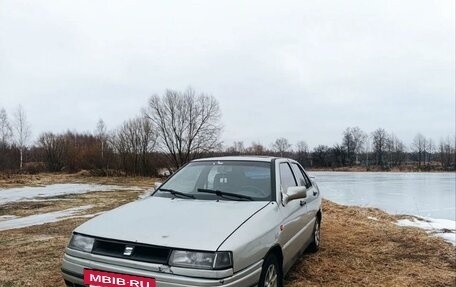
(179, 126)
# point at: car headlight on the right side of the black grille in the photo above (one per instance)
(201, 260)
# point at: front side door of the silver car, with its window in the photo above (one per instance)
(293, 217)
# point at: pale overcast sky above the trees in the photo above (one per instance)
(304, 70)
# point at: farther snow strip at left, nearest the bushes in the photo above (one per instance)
(32, 193)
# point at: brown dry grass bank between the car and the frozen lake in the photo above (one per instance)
(357, 251)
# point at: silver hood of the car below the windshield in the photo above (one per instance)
(179, 223)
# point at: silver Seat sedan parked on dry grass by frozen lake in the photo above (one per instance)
(226, 221)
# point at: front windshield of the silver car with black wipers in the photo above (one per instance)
(209, 180)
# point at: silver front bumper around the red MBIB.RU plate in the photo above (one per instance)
(73, 269)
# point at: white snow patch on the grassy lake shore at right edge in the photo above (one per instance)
(443, 228)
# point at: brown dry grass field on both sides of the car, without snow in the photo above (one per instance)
(361, 247)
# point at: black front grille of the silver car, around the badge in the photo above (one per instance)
(141, 252)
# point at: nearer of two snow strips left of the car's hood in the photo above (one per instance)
(38, 219)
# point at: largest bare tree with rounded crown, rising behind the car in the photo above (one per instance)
(187, 124)
